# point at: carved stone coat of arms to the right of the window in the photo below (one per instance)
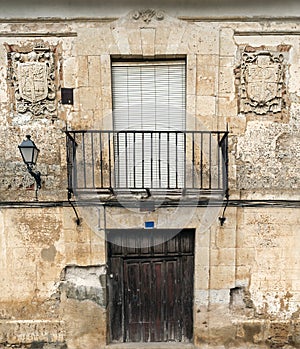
(261, 82)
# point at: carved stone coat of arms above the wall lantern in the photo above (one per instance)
(33, 80)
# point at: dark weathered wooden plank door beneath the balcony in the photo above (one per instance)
(150, 284)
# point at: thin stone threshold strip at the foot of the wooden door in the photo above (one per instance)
(153, 345)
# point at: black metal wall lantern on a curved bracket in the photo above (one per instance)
(30, 152)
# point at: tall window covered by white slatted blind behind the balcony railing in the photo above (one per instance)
(149, 117)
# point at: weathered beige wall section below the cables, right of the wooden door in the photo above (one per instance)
(257, 299)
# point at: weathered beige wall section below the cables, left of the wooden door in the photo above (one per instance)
(53, 279)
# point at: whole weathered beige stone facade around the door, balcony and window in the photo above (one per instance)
(241, 72)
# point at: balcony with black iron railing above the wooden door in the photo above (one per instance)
(154, 162)
